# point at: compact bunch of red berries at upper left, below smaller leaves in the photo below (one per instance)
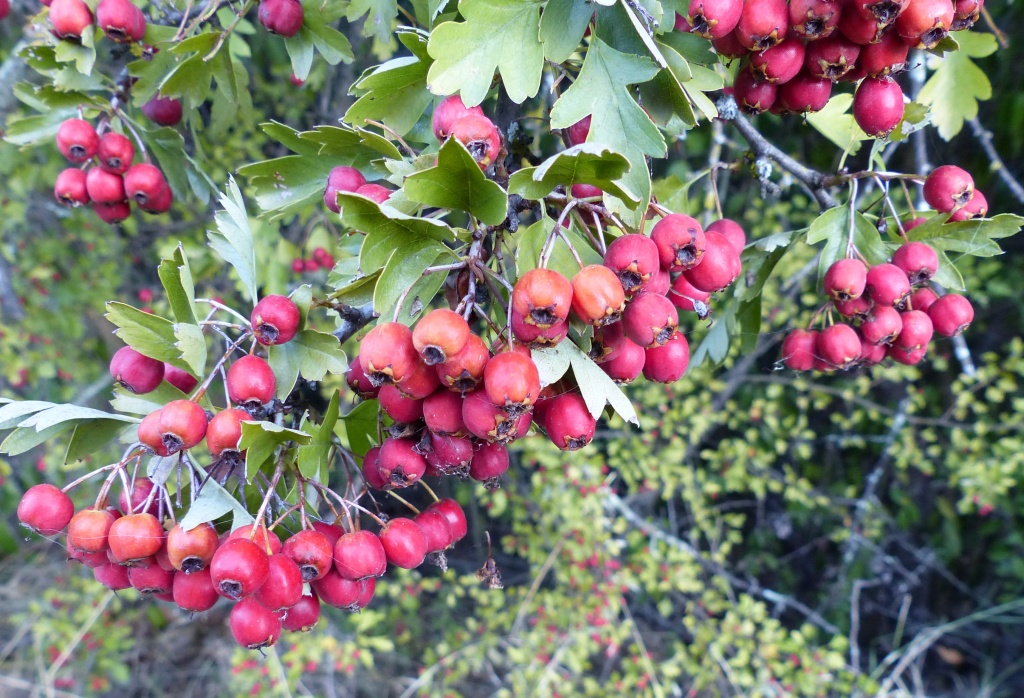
(111, 182)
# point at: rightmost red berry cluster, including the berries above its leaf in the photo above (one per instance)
(891, 310)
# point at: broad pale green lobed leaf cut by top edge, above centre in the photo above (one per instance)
(497, 34)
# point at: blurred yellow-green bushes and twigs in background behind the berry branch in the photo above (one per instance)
(763, 534)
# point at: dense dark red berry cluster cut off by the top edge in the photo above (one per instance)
(794, 53)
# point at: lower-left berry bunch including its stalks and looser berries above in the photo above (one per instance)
(140, 545)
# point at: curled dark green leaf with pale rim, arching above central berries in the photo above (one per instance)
(584, 164)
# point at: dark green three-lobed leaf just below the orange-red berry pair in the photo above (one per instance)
(458, 183)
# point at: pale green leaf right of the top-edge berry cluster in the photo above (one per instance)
(958, 85)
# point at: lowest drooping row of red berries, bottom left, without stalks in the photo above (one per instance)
(130, 547)
